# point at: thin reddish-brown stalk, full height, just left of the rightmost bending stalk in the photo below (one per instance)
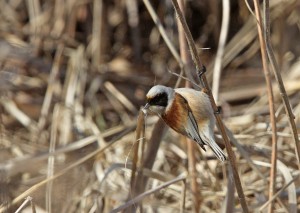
(271, 103)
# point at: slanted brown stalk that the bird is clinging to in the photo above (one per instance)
(199, 67)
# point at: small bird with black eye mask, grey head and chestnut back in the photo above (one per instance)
(188, 112)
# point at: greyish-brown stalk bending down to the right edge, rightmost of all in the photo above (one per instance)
(276, 70)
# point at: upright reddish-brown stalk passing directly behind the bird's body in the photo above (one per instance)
(187, 61)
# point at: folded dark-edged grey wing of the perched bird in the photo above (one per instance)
(191, 127)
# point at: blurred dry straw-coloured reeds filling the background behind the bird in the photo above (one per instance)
(74, 75)
